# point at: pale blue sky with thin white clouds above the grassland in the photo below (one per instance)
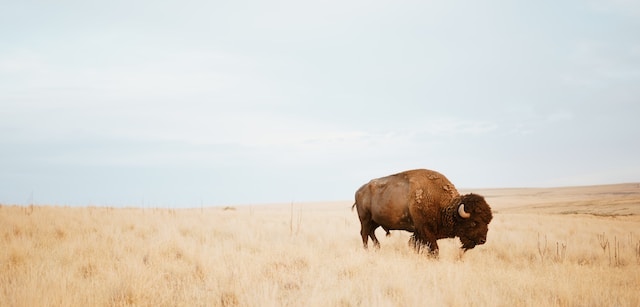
(189, 103)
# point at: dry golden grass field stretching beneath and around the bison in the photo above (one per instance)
(546, 247)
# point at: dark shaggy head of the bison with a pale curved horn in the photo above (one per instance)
(474, 216)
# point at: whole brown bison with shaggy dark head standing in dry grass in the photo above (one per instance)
(426, 203)
